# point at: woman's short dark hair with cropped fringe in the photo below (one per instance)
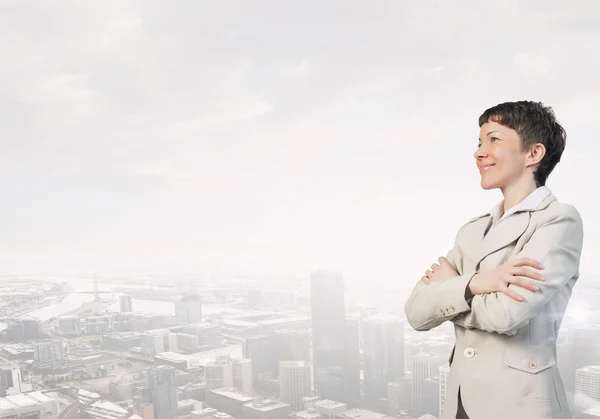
(535, 123)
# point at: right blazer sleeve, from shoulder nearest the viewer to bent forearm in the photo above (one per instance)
(557, 245)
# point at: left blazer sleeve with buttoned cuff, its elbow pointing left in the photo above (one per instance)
(428, 306)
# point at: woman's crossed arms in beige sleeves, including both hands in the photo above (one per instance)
(556, 245)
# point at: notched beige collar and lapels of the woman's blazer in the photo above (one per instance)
(479, 244)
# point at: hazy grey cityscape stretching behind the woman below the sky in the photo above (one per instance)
(179, 350)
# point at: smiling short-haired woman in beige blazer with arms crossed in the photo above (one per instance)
(506, 283)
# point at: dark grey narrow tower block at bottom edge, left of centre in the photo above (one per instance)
(163, 391)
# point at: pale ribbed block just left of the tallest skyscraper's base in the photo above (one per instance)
(294, 382)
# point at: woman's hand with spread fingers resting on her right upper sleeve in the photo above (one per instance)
(512, 272)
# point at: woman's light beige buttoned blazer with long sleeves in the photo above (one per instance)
(504, 358)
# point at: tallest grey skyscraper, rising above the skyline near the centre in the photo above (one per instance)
(328, 326)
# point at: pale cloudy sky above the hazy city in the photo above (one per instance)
(274, 138)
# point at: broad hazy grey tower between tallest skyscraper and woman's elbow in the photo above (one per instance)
(383, 356)
